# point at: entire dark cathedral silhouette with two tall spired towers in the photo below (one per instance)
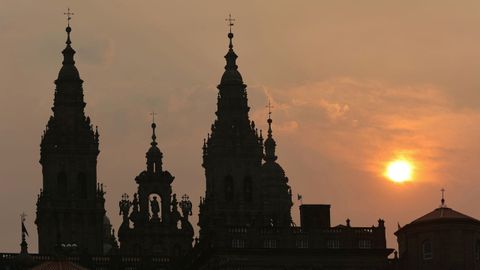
(245, 215)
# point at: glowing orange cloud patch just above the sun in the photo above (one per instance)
(366, 123)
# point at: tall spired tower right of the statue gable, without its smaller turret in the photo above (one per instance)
(232, 158)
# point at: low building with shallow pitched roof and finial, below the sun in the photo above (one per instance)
(443, 239)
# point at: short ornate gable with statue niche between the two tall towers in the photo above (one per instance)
(158, 227)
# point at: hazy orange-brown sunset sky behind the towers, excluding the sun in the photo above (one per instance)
(353, 84)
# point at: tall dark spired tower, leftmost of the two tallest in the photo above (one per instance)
(70, 207)
